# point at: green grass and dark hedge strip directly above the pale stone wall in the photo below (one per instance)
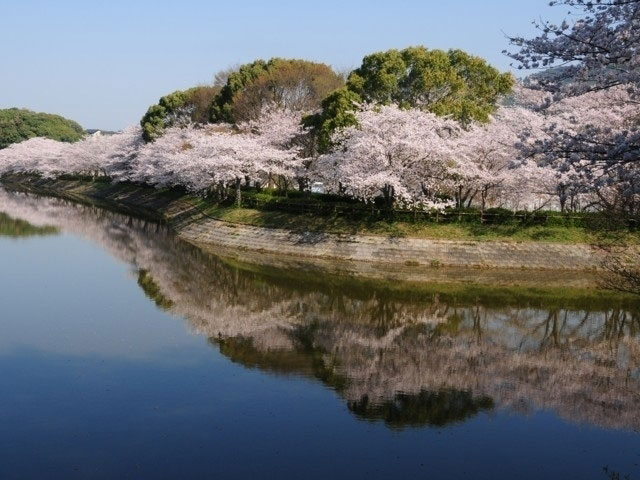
(315, 213)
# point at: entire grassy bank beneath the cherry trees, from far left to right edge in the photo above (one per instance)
(327, 213)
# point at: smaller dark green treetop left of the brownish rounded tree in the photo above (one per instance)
(181, 106)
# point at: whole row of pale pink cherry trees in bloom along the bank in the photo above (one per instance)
(407, 157)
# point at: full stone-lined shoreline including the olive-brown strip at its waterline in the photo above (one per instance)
(418, 259)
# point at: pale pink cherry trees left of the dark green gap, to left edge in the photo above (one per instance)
(198, 159)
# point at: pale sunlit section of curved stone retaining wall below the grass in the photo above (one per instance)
(406, 251)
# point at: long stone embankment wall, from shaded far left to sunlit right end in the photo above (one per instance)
(192, 225)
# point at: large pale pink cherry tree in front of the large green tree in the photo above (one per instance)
(403, 156)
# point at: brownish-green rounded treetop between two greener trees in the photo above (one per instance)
(296, 84)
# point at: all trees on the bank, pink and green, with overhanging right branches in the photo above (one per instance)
(414, 128)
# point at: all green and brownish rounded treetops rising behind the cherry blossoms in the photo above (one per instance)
(451, 83)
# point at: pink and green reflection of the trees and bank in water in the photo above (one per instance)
(415, 356)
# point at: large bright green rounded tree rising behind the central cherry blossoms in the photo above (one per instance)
(451, 83)
